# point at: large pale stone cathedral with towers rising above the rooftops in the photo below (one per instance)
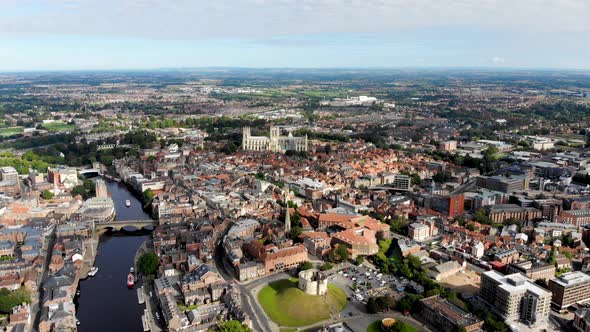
(275, 142)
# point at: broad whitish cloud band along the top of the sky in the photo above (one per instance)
(197, 19)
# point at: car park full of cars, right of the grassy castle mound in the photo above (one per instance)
(362, 283)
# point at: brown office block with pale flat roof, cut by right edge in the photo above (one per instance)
(569, 288)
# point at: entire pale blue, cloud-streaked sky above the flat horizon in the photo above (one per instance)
(151, 34)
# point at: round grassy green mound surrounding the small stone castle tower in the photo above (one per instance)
(287, 305)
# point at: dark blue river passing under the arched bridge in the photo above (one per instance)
(105, 303)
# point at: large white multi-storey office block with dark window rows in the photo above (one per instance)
(515, 298)
